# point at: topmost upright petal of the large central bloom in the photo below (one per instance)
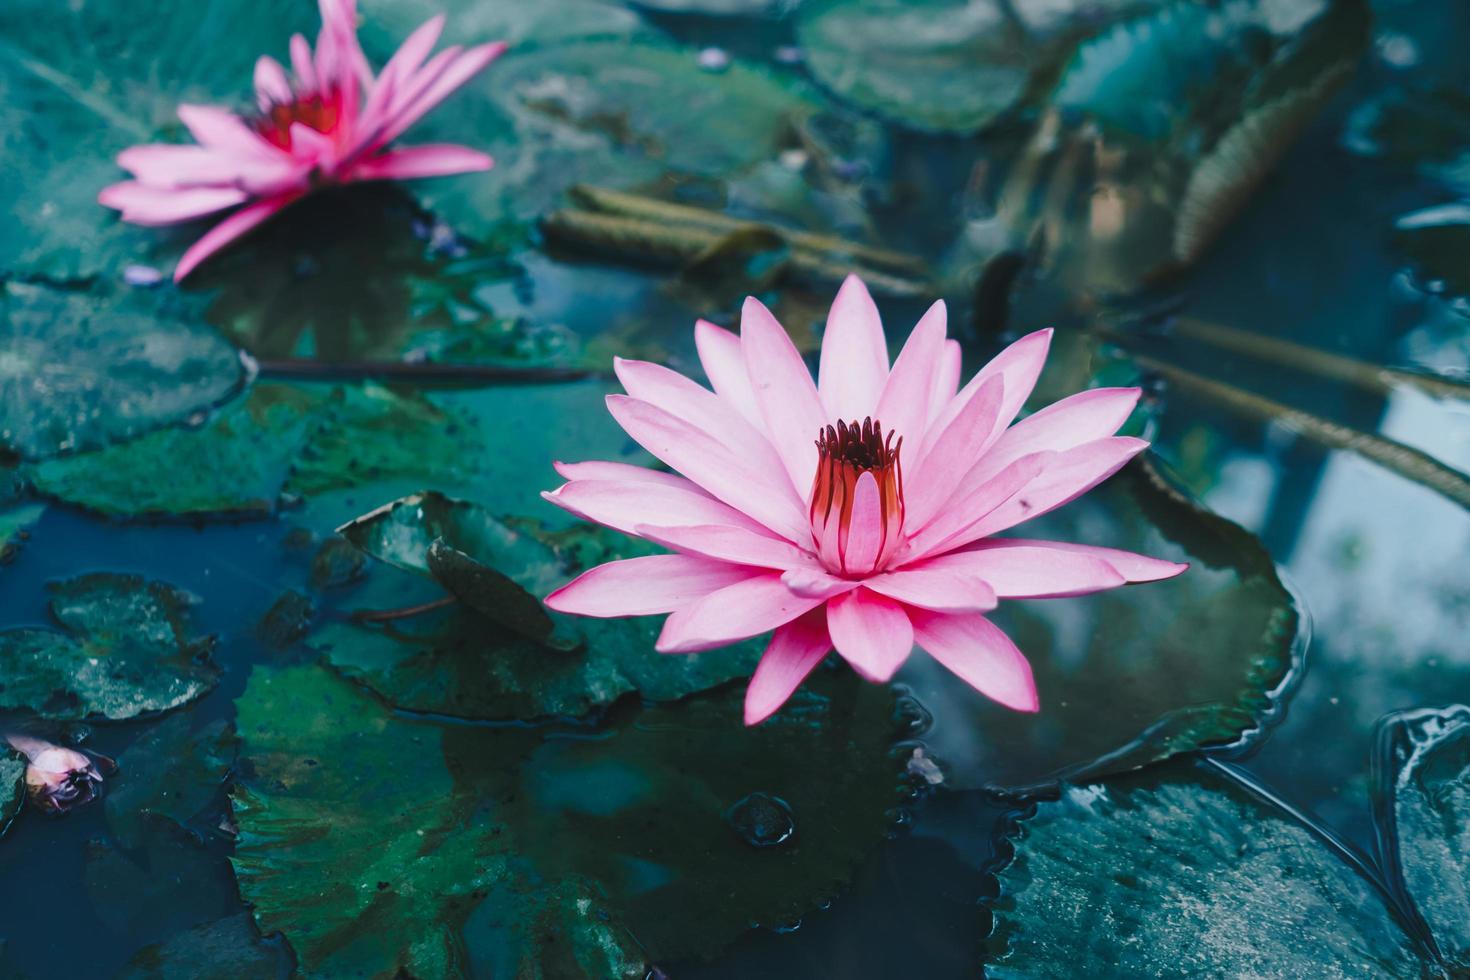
(855, 355)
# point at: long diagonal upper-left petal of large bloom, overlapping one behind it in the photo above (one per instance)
(711, 465)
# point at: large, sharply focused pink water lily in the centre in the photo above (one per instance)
(858, 512)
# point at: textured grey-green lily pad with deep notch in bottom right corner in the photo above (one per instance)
(1221, 878)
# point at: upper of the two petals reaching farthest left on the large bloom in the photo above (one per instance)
(625, 505)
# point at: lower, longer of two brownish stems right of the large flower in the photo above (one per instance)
(1405, 461)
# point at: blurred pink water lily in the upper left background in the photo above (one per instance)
(330, 121)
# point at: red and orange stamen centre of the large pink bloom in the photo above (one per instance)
(858, 497)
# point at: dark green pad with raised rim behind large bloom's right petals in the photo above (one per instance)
(1136, 675)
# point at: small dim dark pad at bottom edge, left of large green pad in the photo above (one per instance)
(226, 950)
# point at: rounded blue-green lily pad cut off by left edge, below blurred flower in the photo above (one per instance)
(80, 372)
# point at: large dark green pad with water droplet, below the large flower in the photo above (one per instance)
(381, 844)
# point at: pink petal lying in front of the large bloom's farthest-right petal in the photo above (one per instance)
(1027, 572)
